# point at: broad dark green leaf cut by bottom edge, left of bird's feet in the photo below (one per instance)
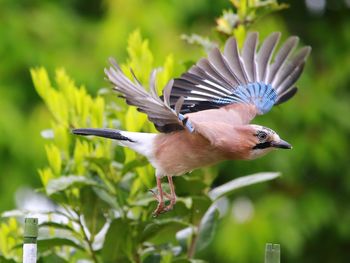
(118, 245)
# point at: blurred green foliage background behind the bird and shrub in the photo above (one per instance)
(307, 210)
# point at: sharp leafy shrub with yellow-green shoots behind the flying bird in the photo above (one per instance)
(103, 210)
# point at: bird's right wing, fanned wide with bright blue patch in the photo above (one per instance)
(248, 79)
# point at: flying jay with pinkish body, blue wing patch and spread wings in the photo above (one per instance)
(204, 115)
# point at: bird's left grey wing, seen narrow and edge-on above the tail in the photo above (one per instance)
(159, 111)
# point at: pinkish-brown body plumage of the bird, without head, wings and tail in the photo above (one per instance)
(181, 152)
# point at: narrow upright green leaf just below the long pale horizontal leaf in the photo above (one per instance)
(207, 229)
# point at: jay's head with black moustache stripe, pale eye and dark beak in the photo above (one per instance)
(264, 140)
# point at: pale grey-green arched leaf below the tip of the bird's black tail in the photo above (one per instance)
(66, 182)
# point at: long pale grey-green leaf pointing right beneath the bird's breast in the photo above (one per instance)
(240, 182)
